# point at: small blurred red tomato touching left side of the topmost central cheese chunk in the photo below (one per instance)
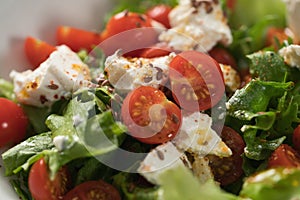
(160, 13)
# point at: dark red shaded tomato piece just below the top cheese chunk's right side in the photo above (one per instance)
(222, 56)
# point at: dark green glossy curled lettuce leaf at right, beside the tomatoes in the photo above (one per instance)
(262, 104)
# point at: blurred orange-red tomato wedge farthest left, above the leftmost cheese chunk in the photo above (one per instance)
(37, 51)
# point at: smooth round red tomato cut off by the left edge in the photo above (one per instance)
(13, 121)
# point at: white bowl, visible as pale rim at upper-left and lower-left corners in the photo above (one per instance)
(39, 18)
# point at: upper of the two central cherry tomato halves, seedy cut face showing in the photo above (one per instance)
(196, 80)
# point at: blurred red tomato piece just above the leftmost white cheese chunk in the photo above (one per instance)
(77, 39)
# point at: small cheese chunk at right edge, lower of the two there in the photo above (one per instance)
(291, 55)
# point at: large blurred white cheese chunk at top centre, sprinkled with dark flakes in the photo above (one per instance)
(197, 25)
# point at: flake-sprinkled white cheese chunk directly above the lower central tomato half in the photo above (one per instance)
(126, 74)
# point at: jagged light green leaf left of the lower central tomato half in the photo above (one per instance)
(85, 131)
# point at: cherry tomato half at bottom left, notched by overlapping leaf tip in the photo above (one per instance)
(42, 187)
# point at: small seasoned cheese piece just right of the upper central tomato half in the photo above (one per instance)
(231, 77)
